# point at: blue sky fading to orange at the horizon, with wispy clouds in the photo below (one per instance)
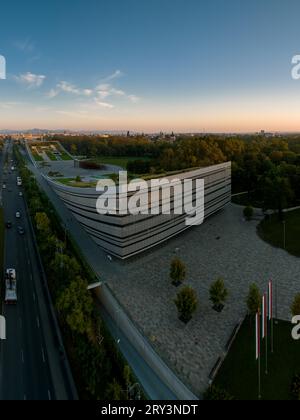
(193, 65)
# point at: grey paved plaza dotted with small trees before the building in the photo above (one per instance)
(225, 246)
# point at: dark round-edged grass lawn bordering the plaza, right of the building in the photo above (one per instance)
(272, 231)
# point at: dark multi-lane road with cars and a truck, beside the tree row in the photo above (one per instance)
(25, 373)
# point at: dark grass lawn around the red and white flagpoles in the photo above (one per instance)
(239, 373)
